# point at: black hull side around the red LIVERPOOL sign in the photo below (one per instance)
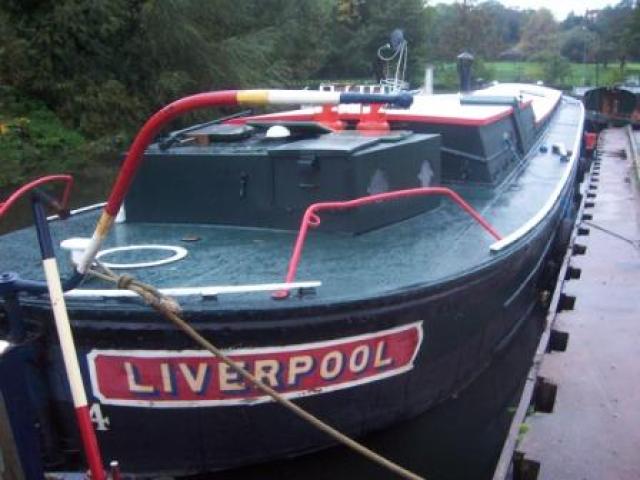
(467, 321)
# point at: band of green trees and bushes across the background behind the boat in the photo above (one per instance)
(101, 67)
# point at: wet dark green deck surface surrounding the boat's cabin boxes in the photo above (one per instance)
(379, 262)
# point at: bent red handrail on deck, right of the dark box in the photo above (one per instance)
(311, 219)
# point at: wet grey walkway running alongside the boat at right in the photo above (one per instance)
(594, 431)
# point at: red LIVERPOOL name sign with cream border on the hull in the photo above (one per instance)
(155, 378)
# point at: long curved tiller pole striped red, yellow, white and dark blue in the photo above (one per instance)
(151, 128)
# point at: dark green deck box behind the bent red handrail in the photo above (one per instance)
(268, 183)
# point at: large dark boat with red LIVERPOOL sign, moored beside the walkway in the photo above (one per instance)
(365, 255)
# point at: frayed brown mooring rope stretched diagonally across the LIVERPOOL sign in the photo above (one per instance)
(171, 309)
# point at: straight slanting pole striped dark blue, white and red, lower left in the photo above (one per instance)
(69, 355)
